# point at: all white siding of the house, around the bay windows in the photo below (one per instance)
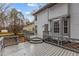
(56, 11)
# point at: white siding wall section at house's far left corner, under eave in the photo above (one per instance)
(42, 18)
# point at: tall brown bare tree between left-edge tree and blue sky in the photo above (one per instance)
(17, 21)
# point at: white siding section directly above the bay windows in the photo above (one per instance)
(58, 10)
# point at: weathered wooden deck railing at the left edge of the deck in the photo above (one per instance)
(7, 41)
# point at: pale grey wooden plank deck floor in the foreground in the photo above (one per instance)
(43, 49)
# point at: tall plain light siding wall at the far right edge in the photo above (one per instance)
(74, 12)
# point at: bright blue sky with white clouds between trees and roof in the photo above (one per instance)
(27, 9)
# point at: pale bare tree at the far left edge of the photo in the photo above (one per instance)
(3, 14)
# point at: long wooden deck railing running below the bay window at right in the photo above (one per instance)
(65, 42)
